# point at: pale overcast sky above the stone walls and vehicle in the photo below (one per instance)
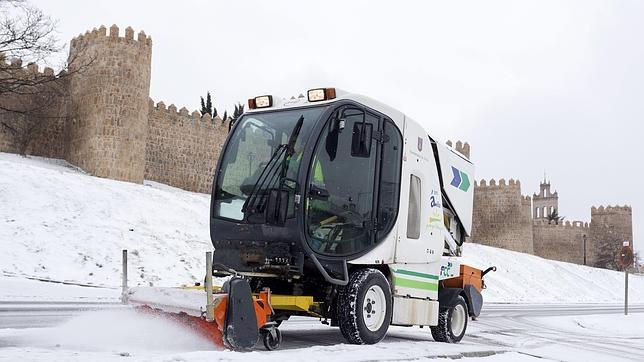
(555, 87)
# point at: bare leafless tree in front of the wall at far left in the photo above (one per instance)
(30, 100)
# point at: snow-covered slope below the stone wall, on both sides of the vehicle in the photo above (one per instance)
(58, 223)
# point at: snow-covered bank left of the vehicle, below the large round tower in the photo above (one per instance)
(58, 223)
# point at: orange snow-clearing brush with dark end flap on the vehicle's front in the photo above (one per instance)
(239, 317)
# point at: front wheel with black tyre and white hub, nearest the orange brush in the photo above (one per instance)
(351, 308)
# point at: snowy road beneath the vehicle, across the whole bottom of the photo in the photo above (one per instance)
(557, 332)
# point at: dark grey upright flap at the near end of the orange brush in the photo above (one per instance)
(240, 328)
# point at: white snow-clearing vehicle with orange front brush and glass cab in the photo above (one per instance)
(335, 206)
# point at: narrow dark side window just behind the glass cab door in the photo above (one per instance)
(388, 194)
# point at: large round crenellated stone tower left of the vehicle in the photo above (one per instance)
(109, 103)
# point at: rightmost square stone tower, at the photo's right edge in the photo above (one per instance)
(612, 225)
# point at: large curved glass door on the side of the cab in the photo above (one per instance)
(341, 192)
